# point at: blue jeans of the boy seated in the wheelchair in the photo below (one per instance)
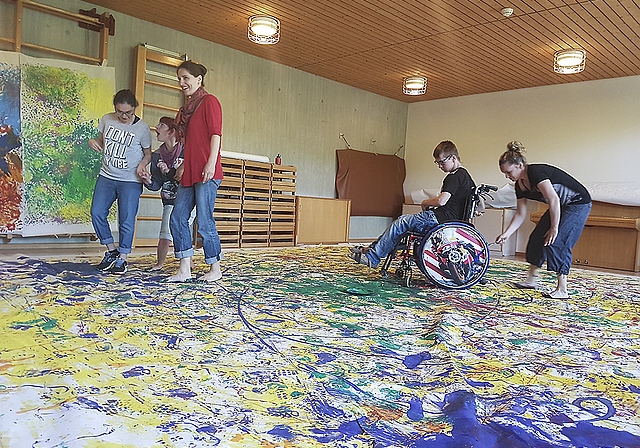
(419, 222)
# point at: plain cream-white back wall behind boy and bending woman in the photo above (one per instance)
(590, 129)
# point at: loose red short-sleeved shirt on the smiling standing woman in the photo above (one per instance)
(205, 122)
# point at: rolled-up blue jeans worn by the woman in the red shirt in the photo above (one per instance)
(203, 197)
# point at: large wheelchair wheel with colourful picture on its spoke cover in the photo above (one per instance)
(453, 255)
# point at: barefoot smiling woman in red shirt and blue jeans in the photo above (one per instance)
(199, 124)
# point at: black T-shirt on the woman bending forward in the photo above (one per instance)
(568, 189)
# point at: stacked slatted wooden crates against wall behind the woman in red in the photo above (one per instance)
(256, 204)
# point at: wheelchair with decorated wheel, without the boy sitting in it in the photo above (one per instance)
(452, 255)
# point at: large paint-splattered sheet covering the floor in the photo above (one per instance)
(301, 348)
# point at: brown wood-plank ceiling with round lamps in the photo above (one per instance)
(463, 47)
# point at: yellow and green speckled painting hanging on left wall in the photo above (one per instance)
(60, 106)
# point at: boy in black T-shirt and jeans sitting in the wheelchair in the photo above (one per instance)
(449, 205)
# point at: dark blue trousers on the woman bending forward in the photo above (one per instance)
(558, 255)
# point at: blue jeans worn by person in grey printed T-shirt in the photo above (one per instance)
(105, 193)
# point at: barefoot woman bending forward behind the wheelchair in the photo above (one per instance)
(561, 225)
